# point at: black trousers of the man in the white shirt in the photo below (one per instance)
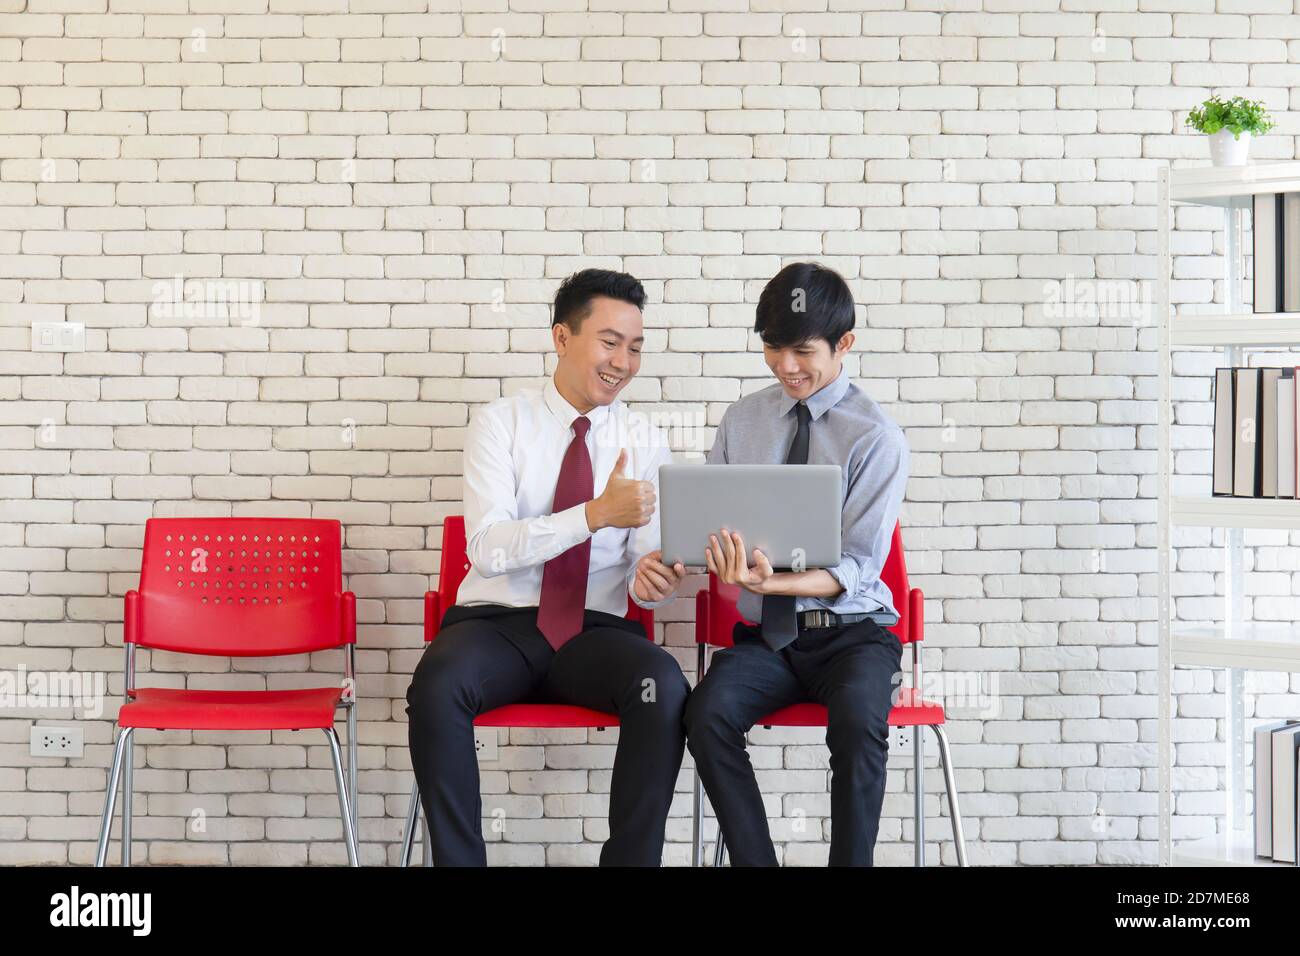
(488, 656)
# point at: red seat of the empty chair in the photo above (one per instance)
(162, 708)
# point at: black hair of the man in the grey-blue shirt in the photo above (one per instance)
(804, 302)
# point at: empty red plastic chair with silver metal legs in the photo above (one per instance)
(239, 587)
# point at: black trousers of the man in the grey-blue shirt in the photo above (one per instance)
(852, 671)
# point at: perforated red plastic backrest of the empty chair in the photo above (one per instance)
(244, 587)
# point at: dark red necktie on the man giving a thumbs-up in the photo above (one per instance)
(560, 613)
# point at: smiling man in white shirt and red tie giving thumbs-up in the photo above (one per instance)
(561, 525)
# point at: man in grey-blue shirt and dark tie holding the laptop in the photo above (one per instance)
(818, 634)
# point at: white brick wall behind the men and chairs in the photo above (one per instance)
(404, 183)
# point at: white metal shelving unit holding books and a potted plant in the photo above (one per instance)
(1236, 644)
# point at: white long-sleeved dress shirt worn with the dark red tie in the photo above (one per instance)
(514, 448)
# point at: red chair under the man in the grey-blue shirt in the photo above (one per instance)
(716, 617)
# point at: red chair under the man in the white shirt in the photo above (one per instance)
(452, 573)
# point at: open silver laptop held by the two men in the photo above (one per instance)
(788, 512)
